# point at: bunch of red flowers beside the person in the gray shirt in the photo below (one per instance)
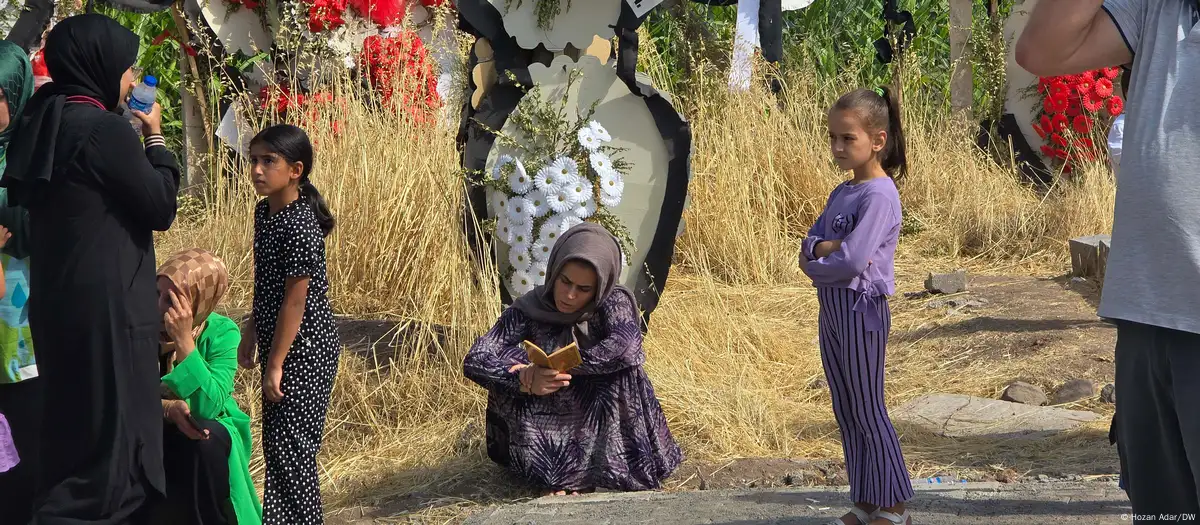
(1071, 107)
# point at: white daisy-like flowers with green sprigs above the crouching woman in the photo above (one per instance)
(562, 173)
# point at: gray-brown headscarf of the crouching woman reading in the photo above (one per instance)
(587, 243)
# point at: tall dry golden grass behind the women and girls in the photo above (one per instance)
(734, 342)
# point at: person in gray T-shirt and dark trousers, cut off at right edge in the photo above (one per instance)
(1153, 282)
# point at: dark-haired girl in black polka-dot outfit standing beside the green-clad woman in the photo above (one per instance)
(293, 324)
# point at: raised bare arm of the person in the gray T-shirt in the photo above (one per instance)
(1071, 37)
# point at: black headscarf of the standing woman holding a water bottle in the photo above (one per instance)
(87, 56)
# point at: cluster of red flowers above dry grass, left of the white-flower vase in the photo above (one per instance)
(400, 65)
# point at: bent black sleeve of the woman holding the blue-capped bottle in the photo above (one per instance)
(145, 182)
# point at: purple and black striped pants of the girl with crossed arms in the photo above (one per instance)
(854, 363)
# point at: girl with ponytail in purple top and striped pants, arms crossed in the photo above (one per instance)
(849, 255)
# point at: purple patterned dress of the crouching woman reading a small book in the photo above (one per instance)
(604, 431)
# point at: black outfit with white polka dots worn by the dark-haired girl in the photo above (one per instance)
(290, 244)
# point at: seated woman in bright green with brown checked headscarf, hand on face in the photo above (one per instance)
(207, 440)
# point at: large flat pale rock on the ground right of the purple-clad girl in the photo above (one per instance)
(965, 417)
